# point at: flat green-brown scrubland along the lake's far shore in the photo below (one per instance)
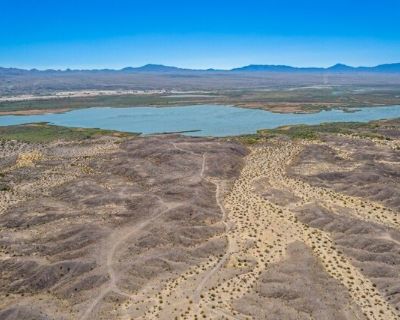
(277, 98)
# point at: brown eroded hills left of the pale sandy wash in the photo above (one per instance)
(110, 224)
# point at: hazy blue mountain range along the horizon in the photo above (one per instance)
(159, 68)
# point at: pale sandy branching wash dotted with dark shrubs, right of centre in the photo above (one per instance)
(263, 230)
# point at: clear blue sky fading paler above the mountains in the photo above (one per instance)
(197, 33)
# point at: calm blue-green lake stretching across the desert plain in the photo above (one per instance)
(199, 120)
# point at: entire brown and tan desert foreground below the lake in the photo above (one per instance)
(170, 227)
